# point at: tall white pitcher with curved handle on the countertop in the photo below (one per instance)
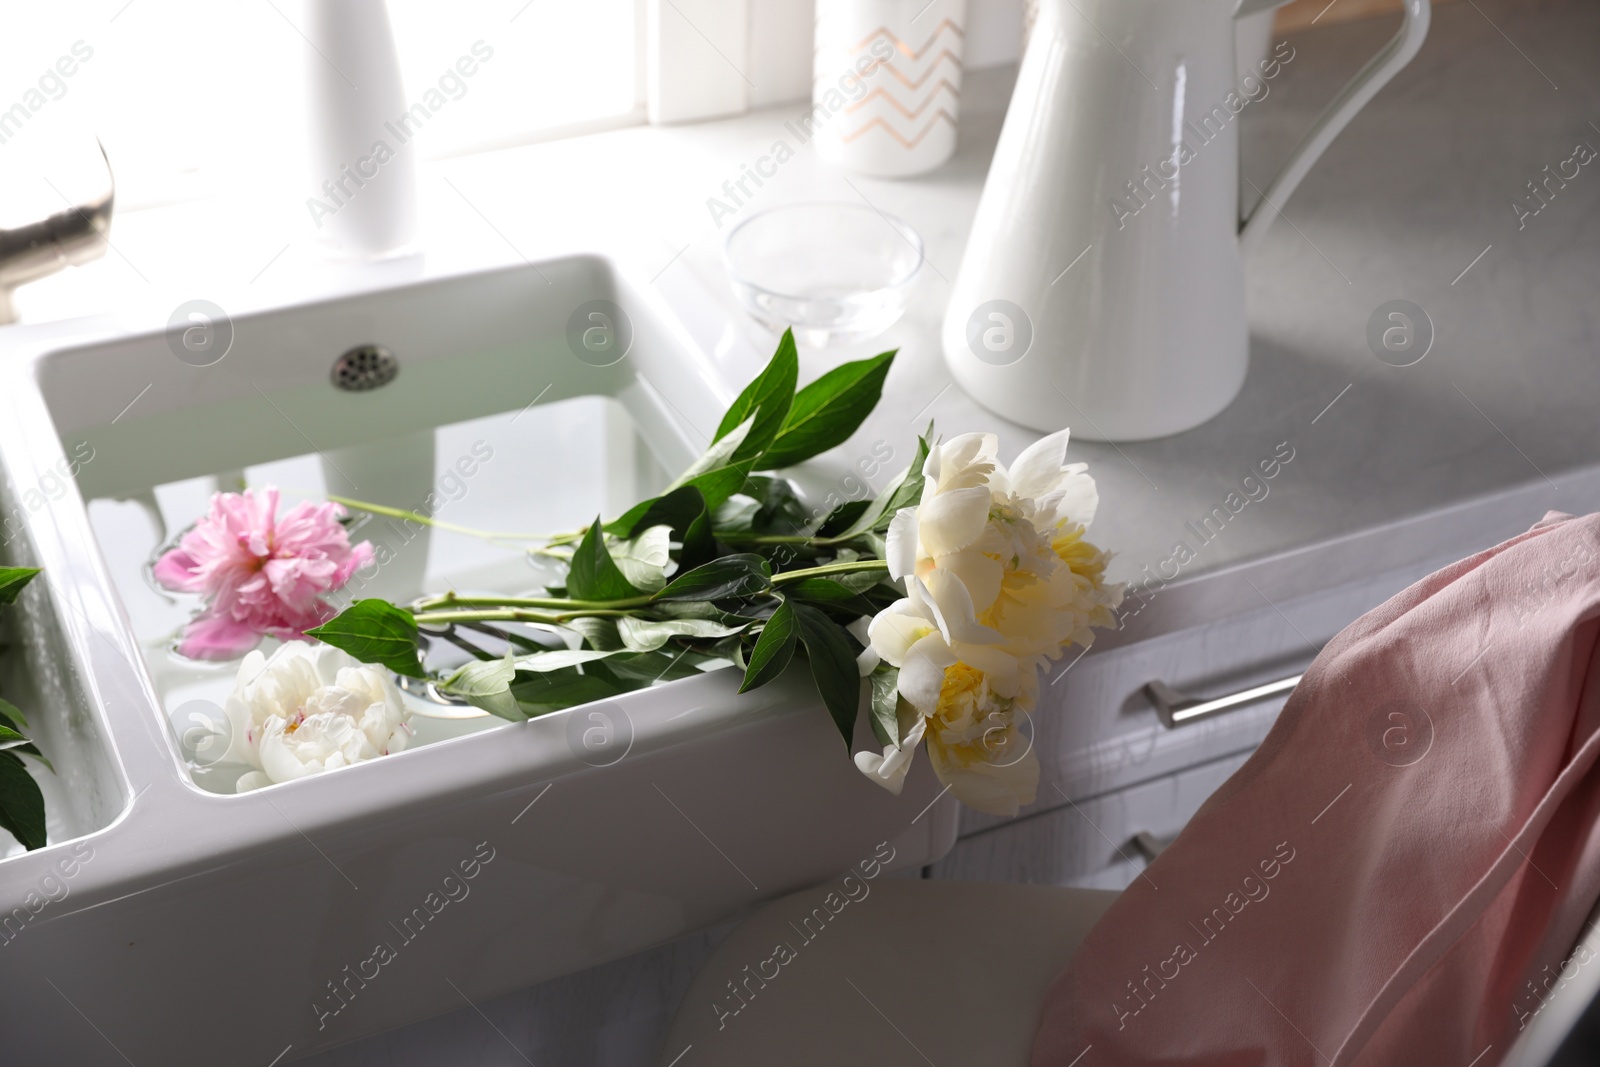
(1103, 284)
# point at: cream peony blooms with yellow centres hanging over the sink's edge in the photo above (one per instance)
(999, 583)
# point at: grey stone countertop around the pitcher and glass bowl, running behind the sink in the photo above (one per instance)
(1393, 468)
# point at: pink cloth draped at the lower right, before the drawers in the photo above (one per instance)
(1390, 876)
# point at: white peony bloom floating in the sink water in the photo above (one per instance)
(308, 709)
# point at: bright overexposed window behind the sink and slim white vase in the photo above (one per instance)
(201, 97)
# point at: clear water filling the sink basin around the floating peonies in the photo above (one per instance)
(532, 471)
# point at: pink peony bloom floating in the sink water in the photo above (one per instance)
(260, 573)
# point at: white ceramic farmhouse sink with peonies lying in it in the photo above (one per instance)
(209, 927)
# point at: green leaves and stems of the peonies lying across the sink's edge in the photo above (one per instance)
(714, 570)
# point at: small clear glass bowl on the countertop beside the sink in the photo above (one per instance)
(836, 273)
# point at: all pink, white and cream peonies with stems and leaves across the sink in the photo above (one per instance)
(948, 596)
